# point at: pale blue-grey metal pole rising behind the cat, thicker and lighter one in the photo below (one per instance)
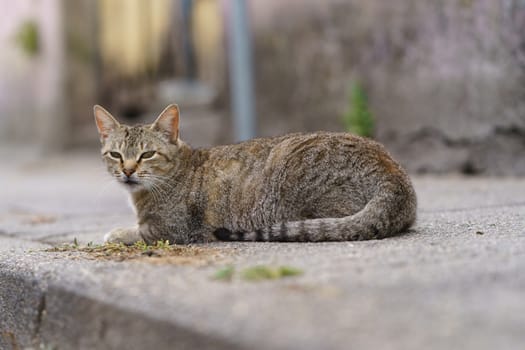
(241, 71)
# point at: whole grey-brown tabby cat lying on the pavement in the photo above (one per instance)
(300, 187)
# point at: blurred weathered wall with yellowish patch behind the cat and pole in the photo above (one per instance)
(444, 80)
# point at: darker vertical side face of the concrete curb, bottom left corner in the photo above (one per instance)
(40, 313)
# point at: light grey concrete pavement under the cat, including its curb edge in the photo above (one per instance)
(456, 281)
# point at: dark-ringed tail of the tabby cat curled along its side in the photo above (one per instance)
(385, 215)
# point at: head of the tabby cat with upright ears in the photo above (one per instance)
(140, 156)
